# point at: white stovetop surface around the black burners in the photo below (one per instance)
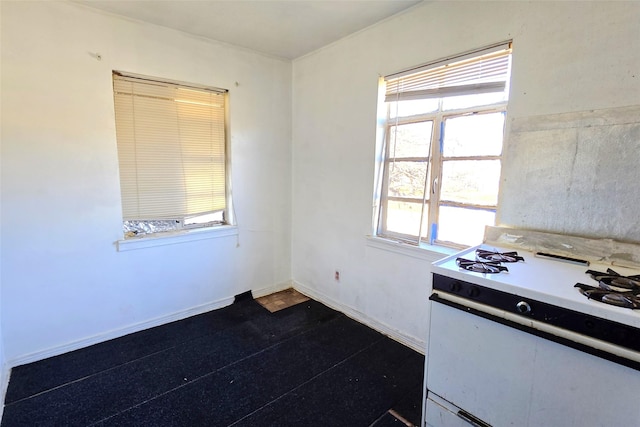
(544, 280)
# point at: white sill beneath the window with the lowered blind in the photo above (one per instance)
(171, 238)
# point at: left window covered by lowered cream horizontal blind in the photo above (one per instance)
(172, 154)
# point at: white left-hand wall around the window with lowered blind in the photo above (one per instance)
(63, 281)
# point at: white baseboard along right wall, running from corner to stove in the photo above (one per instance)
(411, 342)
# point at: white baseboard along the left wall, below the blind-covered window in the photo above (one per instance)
(179, 315)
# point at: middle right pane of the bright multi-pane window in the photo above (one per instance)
(471, 181)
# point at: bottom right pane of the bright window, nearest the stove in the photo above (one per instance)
(463, 226)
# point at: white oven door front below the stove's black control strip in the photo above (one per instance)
(504, 376)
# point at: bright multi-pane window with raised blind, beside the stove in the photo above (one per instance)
(443, 130)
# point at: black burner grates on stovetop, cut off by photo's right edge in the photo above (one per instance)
(614, 289)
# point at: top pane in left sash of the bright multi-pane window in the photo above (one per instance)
(410, 140)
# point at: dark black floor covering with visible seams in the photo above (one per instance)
(306, 365)
